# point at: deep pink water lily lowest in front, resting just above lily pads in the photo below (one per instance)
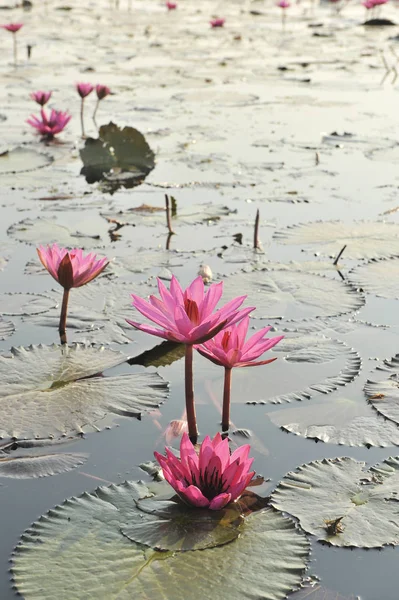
(212, 479)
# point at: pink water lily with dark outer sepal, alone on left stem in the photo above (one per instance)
(71, 268)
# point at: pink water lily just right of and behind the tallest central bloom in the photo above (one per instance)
(229, 349)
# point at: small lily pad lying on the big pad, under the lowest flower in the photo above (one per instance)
(167, 525)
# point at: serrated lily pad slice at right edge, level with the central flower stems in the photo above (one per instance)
(383, 392)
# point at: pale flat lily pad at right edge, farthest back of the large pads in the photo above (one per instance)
(364, 239)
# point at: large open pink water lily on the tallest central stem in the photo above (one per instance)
(188, 316)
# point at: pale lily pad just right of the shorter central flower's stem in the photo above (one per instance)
(308, 364)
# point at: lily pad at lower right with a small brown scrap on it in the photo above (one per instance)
(341, 503)
